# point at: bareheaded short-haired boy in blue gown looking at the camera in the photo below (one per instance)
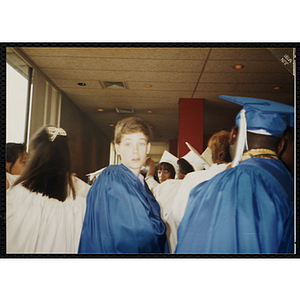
(122, 215)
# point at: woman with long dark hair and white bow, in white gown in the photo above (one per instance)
(46, 204)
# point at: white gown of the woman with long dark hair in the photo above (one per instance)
(39, 224)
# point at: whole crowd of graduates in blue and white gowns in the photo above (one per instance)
(236, 197)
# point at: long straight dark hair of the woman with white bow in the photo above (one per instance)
(49, 170)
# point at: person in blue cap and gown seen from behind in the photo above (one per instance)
(248, 208)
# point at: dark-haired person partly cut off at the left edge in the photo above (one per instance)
(16, 160)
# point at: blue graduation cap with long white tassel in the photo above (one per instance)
(260, 116)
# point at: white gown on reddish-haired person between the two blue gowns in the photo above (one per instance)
(179, 202)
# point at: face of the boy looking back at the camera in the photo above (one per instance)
(133, 150)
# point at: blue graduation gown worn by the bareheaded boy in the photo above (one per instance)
(122, 216)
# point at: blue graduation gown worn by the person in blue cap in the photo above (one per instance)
(246, 209)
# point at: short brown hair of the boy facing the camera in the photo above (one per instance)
(131, 125)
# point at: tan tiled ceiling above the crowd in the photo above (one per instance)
(173, 72)
